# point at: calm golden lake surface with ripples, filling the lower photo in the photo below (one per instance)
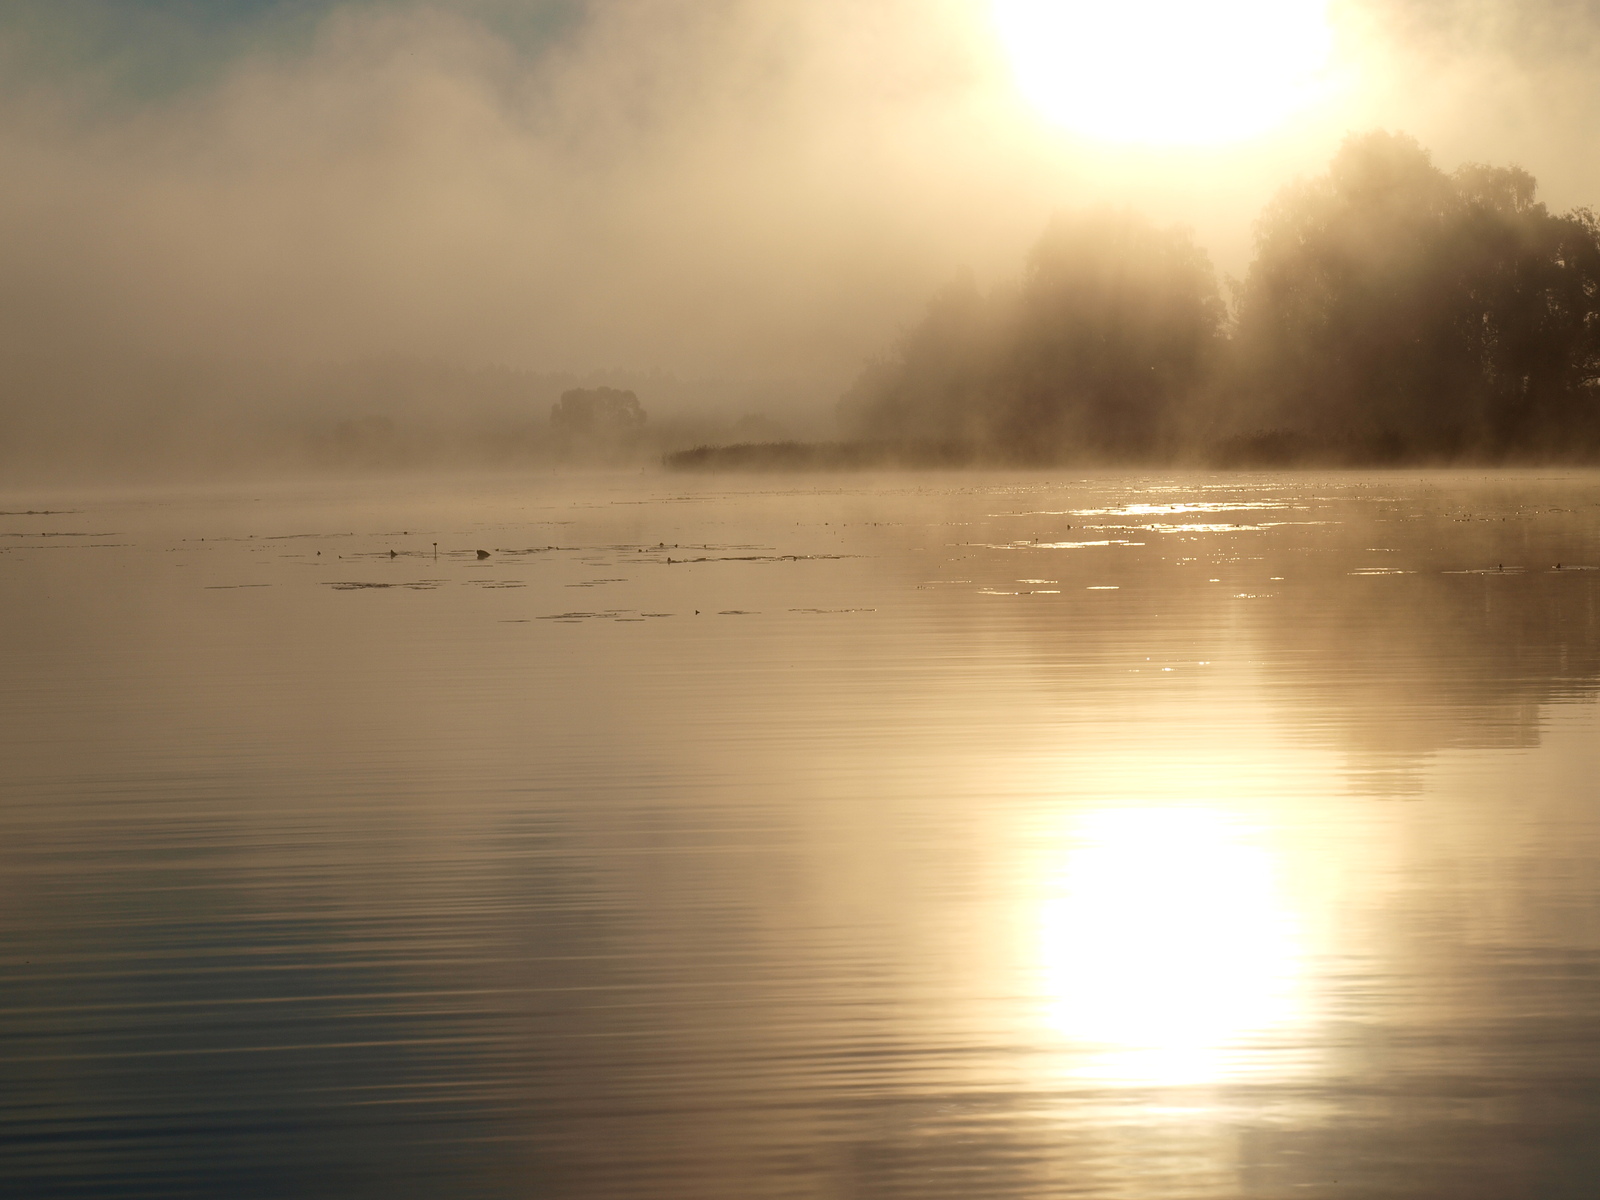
(930, 836)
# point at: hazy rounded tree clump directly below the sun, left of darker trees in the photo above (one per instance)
(1113, 332)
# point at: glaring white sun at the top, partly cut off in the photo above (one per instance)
(1180, 73)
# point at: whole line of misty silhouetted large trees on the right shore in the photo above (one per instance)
(1393, 313)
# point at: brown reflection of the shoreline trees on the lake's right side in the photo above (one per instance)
(1394, 625)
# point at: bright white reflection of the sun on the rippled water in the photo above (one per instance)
(1166, 946)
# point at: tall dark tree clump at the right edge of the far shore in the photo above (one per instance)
(1393, 310)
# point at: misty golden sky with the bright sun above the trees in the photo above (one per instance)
(761, 190)
